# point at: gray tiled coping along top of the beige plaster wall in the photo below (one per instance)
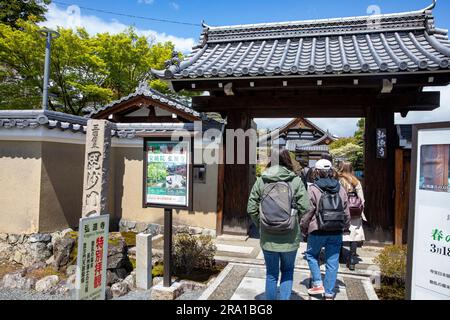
(33, 119)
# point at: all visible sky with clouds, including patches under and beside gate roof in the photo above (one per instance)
(75, 13)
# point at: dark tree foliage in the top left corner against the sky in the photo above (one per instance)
(11, 11)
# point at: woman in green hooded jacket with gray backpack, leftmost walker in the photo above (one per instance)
(275, 203)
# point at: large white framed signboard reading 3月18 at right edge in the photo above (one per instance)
(429, 221)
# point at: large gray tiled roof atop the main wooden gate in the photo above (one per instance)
(402, 42)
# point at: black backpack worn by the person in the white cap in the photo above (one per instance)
(330, 212)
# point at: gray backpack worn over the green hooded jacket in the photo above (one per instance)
(278, 208)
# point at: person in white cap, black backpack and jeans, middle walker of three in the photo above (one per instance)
(325, 224)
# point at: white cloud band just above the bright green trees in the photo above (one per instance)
(73, 18)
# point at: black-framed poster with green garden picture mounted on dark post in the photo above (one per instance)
(167, 173)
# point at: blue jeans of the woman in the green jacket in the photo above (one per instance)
(276, 262)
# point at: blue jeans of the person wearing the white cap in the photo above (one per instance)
(332, 245)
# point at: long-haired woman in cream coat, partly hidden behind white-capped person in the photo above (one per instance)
(355, 193)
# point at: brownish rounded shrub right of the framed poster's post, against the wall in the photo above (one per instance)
(192, 252)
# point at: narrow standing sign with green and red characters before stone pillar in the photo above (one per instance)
(92, 258)
